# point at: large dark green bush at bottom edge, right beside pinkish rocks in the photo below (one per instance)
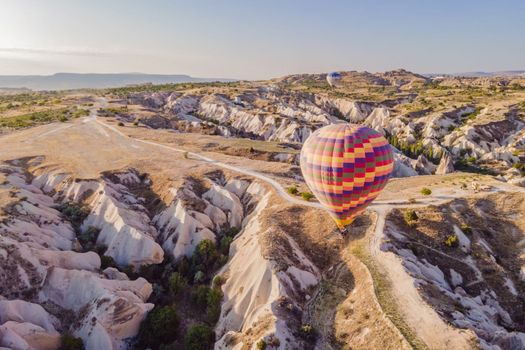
(159, 327)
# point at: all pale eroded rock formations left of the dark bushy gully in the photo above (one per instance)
(53, 283)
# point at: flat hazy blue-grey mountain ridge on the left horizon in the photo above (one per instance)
(67, 81)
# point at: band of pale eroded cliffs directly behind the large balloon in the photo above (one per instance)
(488, 135)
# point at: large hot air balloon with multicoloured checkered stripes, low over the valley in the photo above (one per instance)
(346, 166)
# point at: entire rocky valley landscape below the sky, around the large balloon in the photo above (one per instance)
(176, 211)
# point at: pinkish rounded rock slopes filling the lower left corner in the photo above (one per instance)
(39, 266)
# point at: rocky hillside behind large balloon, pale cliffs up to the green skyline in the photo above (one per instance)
(472, 127)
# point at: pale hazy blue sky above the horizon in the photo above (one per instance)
(260, 38)
